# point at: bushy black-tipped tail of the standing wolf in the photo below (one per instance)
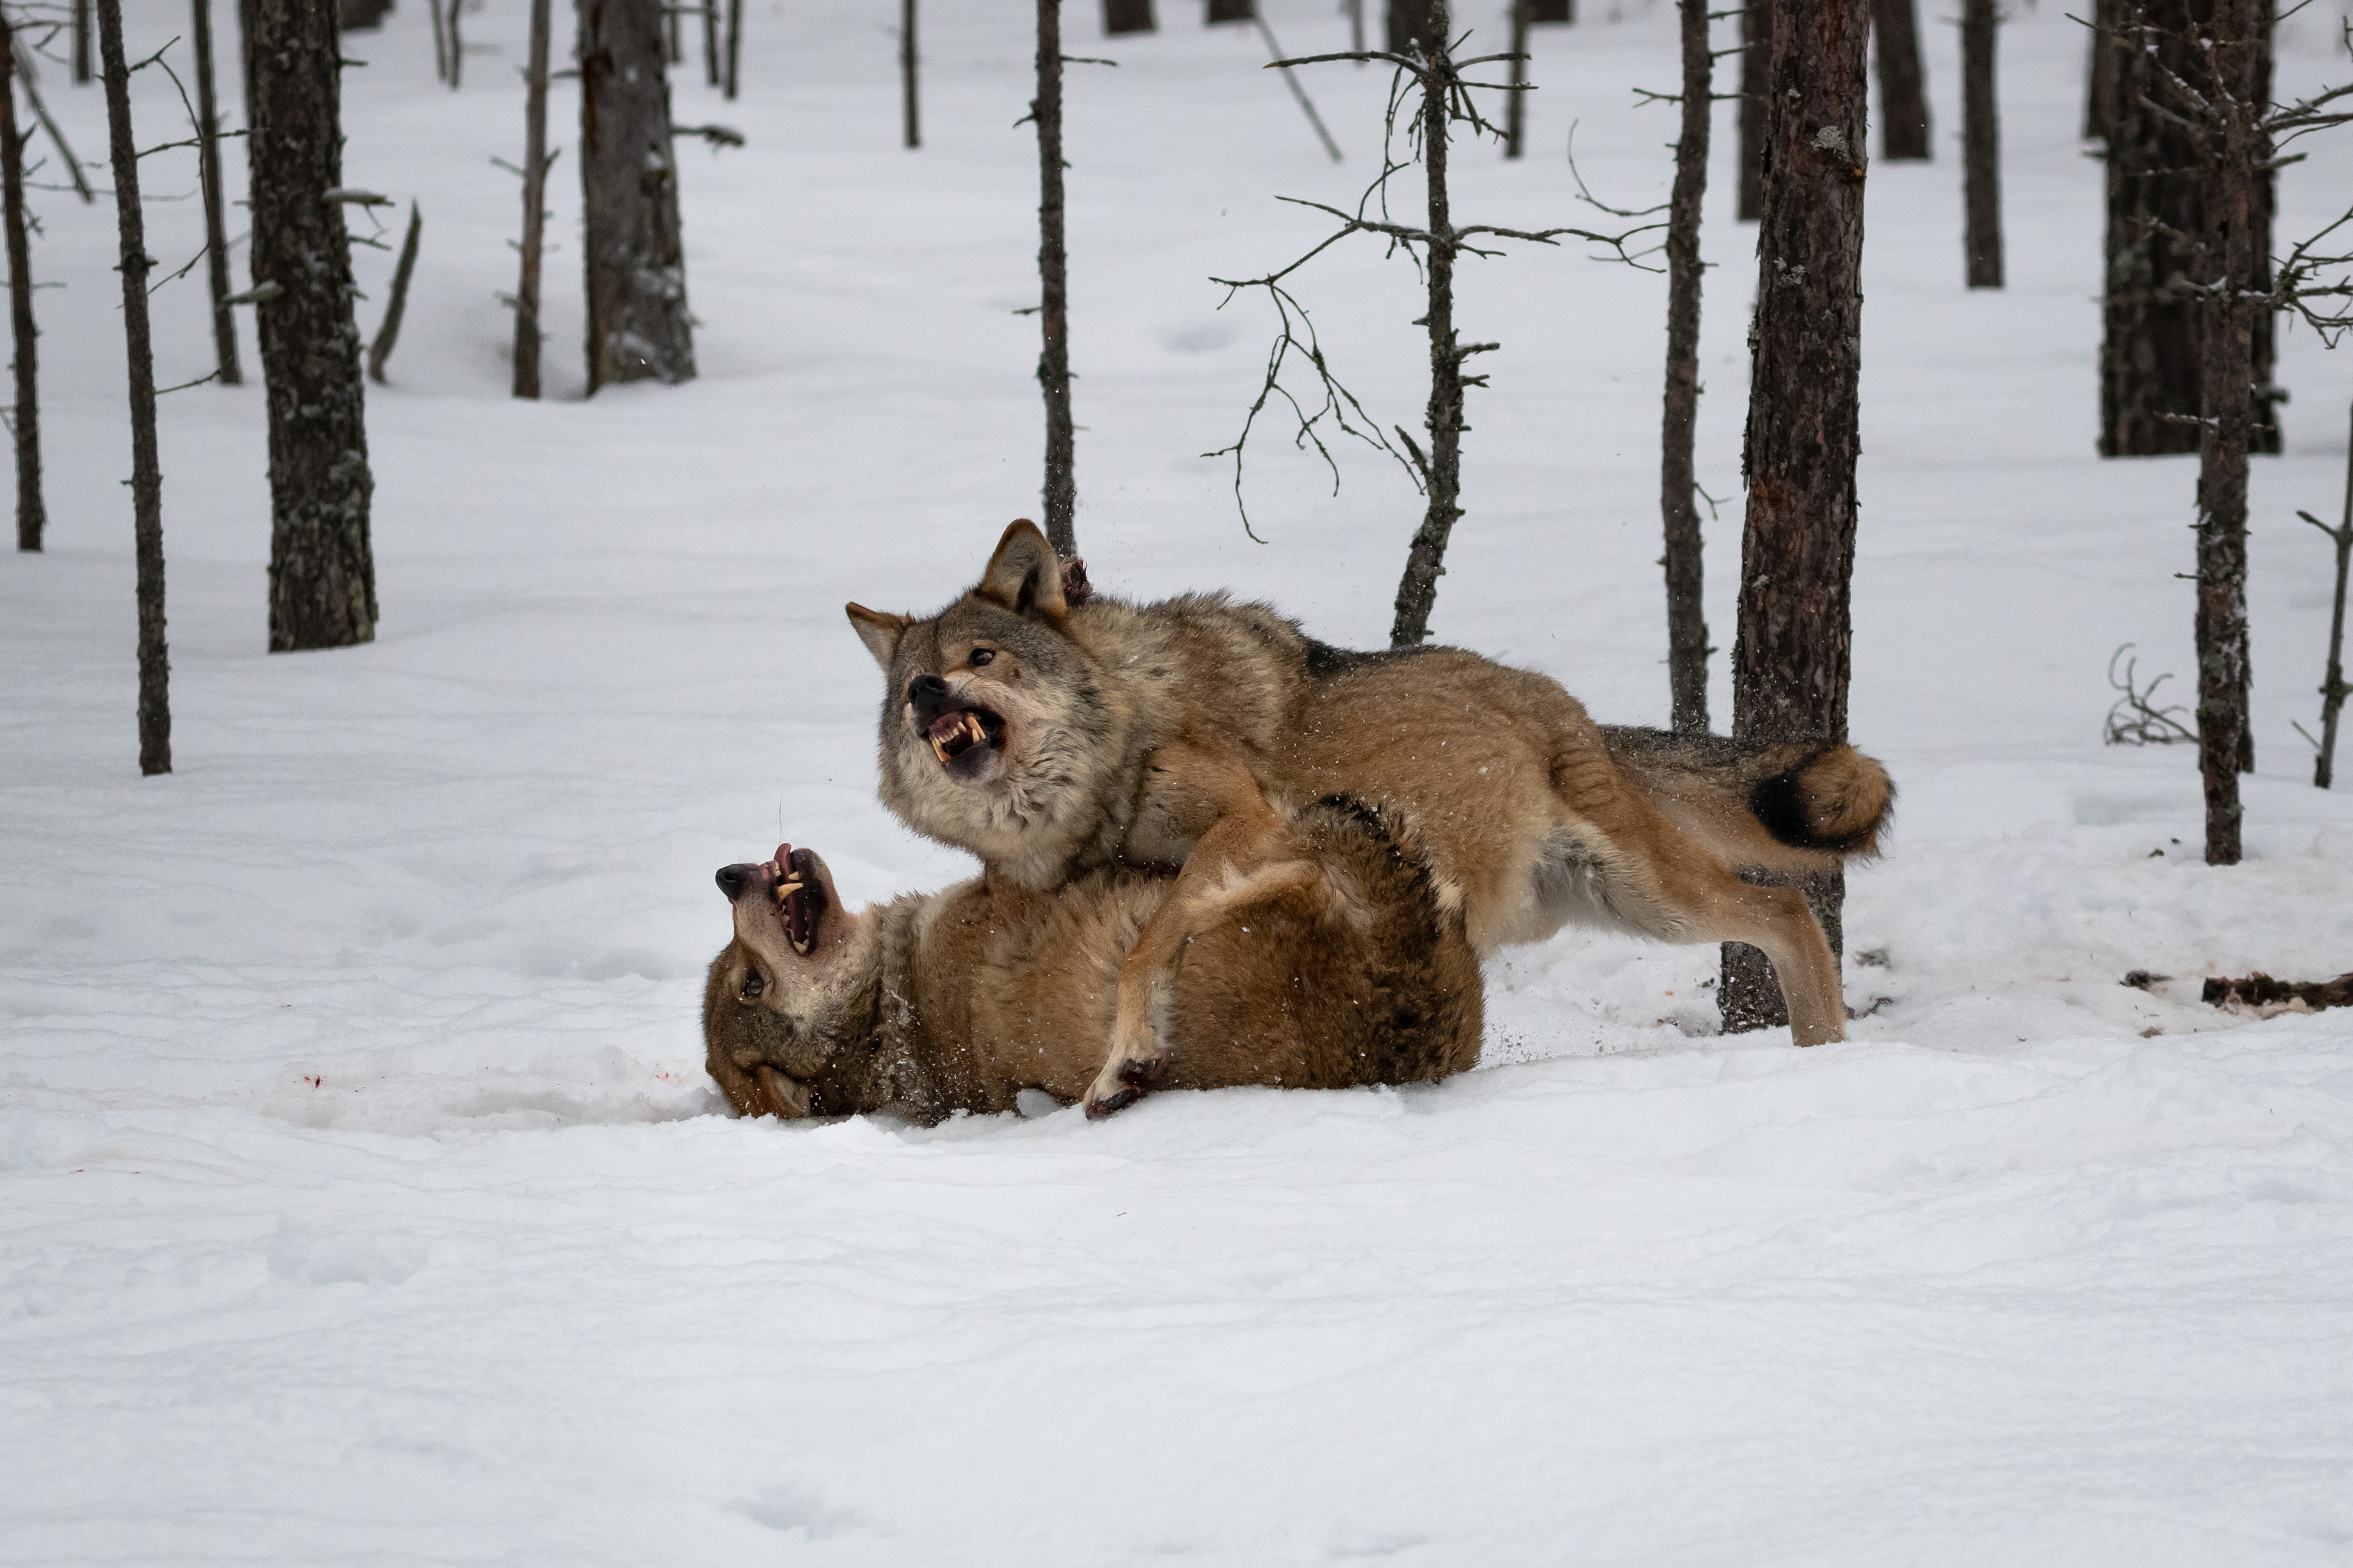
(1827, 800)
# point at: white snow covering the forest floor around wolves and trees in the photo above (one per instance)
(364, 1193)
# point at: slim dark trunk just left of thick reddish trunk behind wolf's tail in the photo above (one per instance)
(1679, 483)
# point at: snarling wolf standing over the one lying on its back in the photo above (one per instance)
(1053, 737)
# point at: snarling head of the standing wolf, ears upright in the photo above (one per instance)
(996, 728)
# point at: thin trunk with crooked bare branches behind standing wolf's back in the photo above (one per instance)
(1446, 415)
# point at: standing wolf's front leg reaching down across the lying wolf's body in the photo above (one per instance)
(1232, 829)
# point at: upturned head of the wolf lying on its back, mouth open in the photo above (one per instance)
(789, 991)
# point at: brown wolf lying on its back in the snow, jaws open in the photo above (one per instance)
(1331, 967)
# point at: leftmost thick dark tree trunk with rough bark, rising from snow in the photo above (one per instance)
(324, 575)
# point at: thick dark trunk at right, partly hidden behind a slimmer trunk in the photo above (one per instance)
(2149, 377)
